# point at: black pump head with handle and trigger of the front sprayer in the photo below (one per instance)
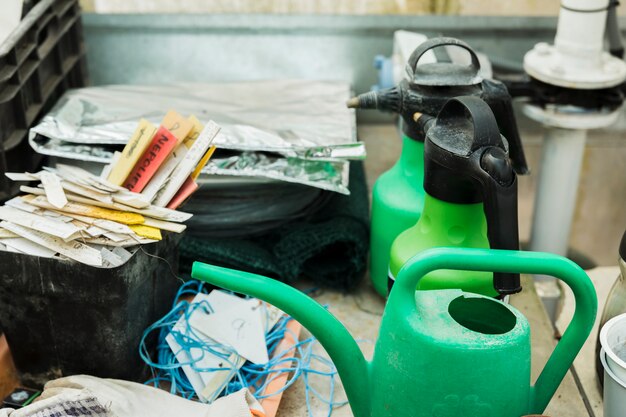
(467, 161)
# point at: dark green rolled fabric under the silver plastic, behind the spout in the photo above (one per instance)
(329, 247)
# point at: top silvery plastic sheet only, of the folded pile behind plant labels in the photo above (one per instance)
(297, 118)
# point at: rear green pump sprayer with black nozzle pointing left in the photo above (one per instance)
(398, 195)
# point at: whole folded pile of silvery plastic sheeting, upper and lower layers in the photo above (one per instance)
(294, 131)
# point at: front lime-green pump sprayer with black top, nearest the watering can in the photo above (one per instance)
(471, 196)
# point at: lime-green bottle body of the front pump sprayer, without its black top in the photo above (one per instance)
(451, 225)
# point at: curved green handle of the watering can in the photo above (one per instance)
(491, 260)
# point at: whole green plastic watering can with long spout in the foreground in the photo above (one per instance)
(440, 353)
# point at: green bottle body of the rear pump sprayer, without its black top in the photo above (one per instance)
(397, 202)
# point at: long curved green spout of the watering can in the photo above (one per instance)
(345, 353)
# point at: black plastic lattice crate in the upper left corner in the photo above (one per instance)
(41, 59)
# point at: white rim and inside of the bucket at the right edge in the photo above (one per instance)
(613, 341)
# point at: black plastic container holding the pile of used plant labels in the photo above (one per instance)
(63, 318)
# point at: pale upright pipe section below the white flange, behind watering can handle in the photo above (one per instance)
(555, 199)
